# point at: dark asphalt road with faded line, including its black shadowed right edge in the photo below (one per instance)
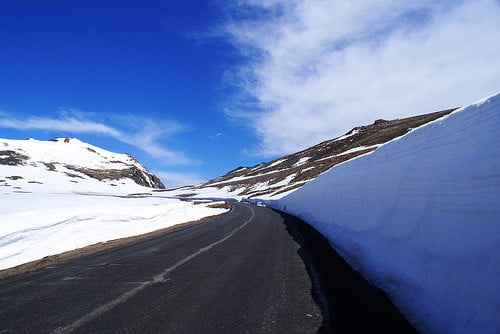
(252, 270)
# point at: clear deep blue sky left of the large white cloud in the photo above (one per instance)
(123, 63)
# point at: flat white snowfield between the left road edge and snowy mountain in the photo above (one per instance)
(34, 226)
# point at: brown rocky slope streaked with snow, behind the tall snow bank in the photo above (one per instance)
(278, 177)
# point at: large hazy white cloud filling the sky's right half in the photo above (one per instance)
(316, 68)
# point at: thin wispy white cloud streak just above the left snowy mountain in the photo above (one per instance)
(142, 133)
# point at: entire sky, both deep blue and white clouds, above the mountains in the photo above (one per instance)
(195, 88)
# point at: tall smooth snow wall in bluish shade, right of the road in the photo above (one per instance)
(420, 217)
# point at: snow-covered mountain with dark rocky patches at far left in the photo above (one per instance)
(68, 164)
